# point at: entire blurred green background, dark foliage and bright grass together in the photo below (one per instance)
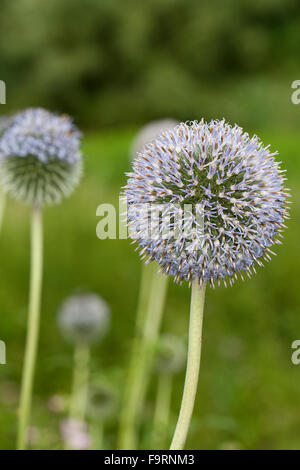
(114, 65)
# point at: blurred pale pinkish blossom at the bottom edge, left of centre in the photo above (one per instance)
(75, 435)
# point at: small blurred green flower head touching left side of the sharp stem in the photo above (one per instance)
(170, 355)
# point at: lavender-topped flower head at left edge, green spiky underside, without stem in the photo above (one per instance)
(40, 158)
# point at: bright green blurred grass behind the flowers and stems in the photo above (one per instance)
(249, 389)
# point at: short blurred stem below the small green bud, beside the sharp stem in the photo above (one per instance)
(162, 411)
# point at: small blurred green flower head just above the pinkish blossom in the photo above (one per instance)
(102, 400)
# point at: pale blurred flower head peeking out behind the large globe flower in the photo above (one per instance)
(150, 132)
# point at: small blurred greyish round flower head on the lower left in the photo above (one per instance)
(84, 318)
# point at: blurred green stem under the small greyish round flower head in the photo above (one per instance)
(80, 382)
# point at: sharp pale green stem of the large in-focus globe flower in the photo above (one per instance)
(193, 367)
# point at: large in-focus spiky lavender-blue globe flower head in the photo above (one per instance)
(230, 179)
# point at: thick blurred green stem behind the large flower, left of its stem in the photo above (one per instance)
(148, 325)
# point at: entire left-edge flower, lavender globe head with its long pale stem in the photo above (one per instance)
(40, 162)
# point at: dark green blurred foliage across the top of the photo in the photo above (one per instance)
(119, 61)
